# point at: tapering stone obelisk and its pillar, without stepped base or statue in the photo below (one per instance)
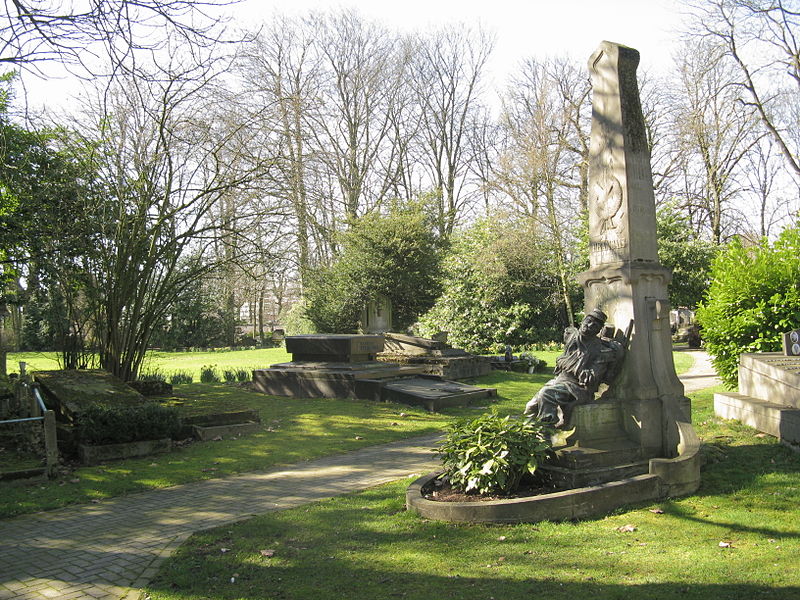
(625, 279)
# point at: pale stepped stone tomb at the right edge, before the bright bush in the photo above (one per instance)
(768, 397)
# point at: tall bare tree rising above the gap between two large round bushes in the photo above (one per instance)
(446, 74)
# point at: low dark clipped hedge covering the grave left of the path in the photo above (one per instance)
(102, 424)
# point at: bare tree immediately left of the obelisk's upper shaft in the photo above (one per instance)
(542, 169)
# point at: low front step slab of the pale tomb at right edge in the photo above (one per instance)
(770, 417)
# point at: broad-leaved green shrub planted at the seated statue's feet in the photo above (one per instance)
(491, 454)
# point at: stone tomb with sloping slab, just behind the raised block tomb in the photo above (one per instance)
(436, 357)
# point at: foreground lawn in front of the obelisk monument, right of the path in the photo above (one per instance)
(366, 546)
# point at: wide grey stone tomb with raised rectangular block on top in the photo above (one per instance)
(344, 366)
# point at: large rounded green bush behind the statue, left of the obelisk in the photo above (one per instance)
(501, 286)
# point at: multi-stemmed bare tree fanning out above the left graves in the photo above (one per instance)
(159, 158)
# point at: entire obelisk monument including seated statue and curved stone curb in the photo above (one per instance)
(635, 443)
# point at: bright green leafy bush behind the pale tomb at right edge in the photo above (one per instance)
(754, 296)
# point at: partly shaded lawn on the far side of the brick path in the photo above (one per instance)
(295, 430)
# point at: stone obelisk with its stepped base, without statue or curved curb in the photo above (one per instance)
(643, 414)
